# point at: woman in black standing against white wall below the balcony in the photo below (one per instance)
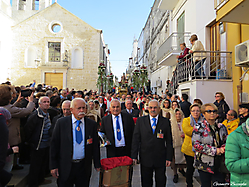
(222, 106)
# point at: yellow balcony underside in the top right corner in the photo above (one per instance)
(232, 11)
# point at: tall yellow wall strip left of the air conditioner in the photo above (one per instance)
(233, 39)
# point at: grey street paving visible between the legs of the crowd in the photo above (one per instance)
(136, 177)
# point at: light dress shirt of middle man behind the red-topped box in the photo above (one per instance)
(118, 143)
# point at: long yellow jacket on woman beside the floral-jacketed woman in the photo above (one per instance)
(187, 143)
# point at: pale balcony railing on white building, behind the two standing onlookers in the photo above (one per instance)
(172, 45)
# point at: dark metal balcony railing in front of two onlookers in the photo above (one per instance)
(202, 65)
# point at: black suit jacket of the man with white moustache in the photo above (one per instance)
(61, 152)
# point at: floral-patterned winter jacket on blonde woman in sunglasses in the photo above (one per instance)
(206, 145)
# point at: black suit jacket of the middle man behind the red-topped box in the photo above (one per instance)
(128, 127)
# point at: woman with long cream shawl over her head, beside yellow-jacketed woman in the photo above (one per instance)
(178, 137)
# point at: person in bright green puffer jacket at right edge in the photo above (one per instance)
(237, 155)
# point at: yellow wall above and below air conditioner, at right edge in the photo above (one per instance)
(245, 37)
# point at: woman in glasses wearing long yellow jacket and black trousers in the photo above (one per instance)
(187, 127)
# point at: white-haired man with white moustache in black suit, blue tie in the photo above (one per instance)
(74, 144)
